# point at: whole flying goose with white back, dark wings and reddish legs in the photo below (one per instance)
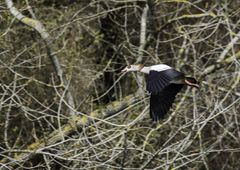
(163, 84)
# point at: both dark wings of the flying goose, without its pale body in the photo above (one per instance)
(162, 91)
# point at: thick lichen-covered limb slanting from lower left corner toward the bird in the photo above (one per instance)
(75, 122)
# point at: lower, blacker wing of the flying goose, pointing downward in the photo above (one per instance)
(161, 102)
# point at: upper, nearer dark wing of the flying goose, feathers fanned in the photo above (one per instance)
(157, 81)
